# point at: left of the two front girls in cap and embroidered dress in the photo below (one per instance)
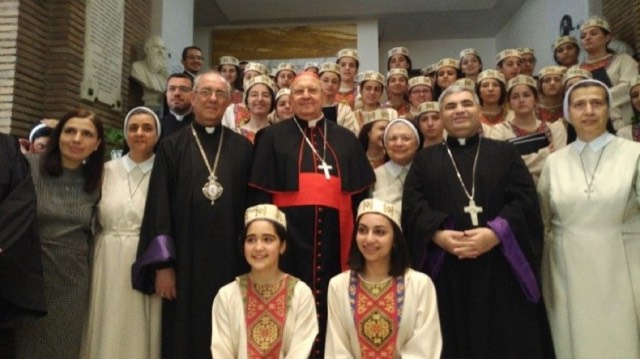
(265, 313)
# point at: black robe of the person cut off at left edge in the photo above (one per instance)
(22, 294)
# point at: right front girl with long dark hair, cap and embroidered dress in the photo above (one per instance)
(381, 308)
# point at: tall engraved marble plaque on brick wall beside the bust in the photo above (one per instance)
(104, 38)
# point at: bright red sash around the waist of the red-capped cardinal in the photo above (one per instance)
(315, 190)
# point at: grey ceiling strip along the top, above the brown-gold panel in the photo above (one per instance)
(398, 20)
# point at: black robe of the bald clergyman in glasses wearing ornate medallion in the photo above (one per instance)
(182, 229)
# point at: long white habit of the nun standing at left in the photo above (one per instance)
(123, 322)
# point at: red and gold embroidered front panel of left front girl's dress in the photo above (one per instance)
(265, 316)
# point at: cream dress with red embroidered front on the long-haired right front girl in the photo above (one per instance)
(416, 335)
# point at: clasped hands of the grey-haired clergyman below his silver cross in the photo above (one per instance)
(468, 244)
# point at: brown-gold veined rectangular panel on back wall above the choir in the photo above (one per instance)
(283, 42)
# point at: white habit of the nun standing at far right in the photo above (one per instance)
(591, 262)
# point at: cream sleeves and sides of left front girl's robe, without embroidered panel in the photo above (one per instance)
(229, 333)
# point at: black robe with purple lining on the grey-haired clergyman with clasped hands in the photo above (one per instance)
(489, 306)
